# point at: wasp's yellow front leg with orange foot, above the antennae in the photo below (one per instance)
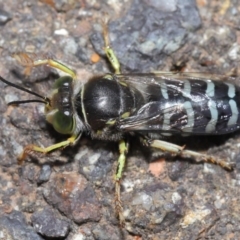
(29, 63)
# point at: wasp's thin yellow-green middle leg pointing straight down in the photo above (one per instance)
(123, 149)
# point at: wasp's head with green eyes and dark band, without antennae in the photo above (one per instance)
(60, 110)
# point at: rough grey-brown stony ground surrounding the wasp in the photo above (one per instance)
(70, 194)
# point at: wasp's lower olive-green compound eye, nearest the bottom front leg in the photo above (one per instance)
(63, 122)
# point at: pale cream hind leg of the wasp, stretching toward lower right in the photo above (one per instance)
(175, 149)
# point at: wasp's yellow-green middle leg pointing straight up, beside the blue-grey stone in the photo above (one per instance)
(112, 58)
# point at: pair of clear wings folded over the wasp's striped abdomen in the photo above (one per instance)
(181, 103)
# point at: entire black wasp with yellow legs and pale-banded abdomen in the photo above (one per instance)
(150, 106)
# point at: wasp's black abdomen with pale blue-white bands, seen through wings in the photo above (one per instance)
(197, 106)
